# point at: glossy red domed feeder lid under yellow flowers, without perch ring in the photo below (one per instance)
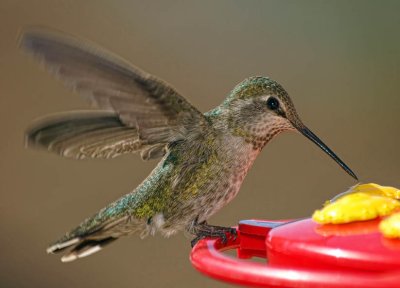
(357, 245)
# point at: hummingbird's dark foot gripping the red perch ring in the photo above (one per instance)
(203, 230)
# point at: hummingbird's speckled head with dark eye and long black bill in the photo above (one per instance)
(259, 109)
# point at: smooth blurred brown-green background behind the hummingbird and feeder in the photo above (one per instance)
(339, 60)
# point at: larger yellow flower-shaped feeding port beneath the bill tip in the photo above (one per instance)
(362, 202)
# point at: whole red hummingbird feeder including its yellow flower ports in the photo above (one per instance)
(361, 251)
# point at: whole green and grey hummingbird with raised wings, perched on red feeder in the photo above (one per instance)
(204, 157)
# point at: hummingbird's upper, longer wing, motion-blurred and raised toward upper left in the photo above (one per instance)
(157, 111)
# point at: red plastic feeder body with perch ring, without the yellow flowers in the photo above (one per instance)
(303, 253)
